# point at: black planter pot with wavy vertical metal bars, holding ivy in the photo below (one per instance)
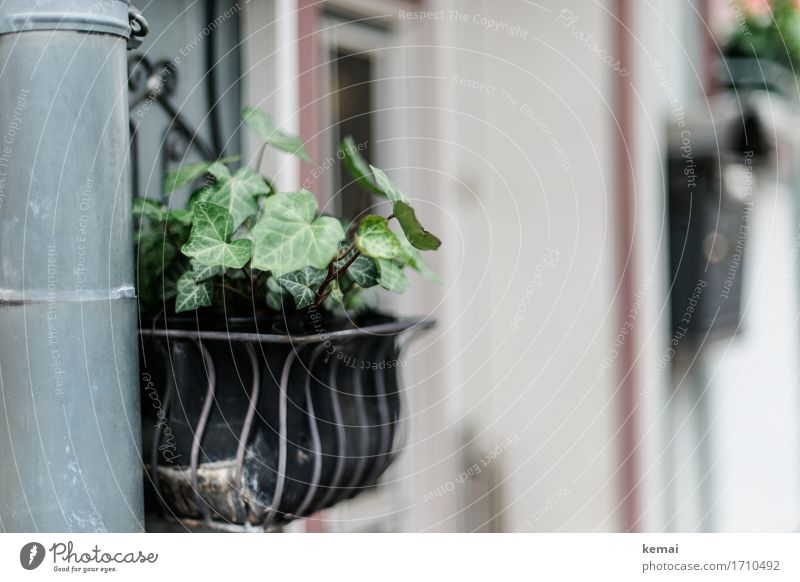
(256, 422)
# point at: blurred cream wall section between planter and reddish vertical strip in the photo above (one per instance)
(508, 196)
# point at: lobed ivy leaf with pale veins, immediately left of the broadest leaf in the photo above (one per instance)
(209, 240)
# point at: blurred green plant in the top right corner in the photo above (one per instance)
(772, 34)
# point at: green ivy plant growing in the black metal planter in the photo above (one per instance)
(244, 248)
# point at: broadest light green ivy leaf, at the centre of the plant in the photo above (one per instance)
(289, 237)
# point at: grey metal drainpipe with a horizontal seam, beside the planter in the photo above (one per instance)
(69, 403)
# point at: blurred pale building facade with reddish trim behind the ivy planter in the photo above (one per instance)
(534, 139)
